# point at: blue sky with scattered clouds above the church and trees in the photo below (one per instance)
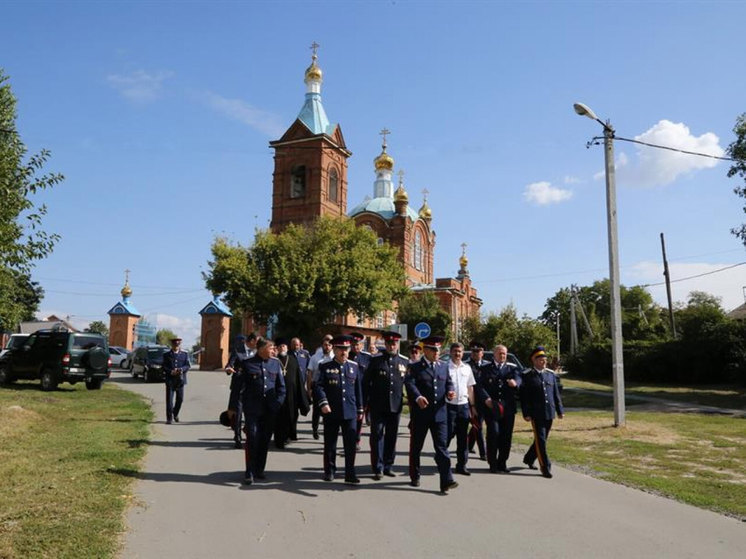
(159, 115)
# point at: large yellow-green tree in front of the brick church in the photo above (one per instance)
(307, 275)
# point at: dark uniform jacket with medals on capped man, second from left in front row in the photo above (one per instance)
(341, 387)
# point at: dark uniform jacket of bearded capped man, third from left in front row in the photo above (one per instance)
(383, 383)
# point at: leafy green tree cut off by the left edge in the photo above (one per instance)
(22, 241)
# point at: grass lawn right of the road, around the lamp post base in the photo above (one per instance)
(695, 458)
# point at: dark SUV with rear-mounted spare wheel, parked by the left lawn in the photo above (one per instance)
(56, 356)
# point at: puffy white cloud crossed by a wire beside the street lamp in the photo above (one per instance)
(659, 167)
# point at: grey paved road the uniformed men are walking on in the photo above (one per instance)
(190, 504)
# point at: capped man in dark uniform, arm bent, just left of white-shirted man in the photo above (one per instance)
(428, 384)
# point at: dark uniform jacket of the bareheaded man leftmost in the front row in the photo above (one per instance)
(262, 385)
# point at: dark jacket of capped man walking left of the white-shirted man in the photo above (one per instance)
(432, 381)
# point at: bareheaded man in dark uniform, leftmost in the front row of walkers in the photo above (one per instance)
(262, 394)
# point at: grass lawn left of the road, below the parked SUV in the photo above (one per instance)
(59, 452)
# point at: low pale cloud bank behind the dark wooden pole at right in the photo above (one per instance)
(727, 284)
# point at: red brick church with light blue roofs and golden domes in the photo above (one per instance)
(310, 180)
